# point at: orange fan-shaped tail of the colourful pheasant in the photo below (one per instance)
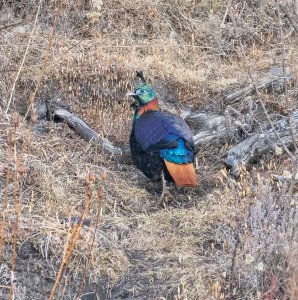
(183, 175)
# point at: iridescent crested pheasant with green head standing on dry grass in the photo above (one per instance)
(161, 143)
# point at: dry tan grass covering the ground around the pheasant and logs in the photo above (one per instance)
(226, 240)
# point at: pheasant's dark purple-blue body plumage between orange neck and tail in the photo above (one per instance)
(157, 136)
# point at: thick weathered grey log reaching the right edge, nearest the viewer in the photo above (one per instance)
(258, 144)
